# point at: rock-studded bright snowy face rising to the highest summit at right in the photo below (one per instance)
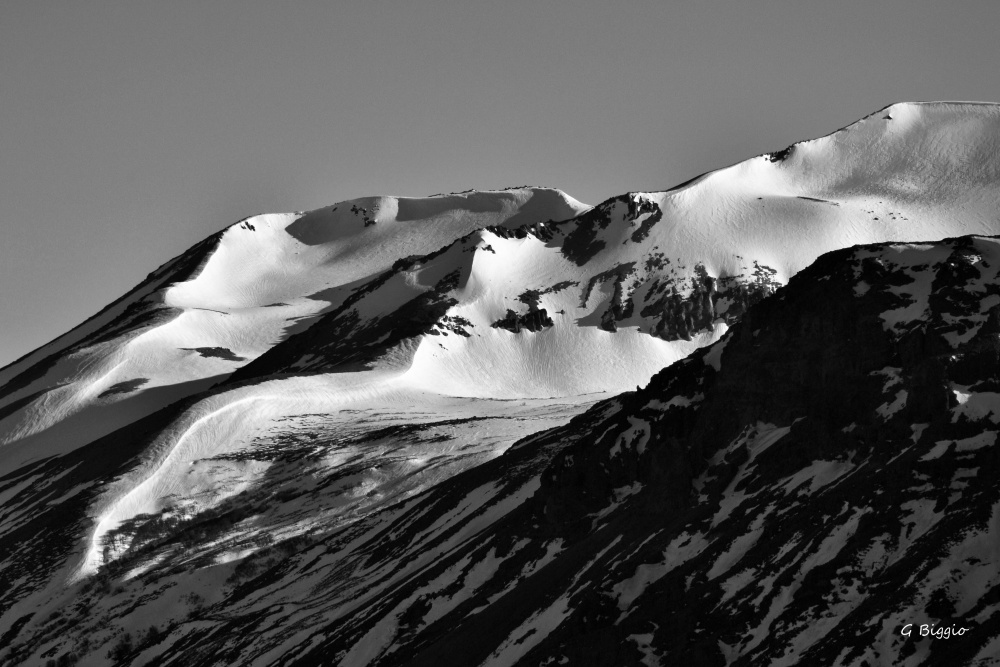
(657, 268)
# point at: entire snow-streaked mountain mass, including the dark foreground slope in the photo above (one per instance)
(294, 444)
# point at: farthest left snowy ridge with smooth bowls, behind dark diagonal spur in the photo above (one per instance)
(201, 316)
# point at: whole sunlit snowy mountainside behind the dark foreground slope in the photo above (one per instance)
(296, 374)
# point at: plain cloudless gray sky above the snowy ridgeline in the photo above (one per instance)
(131, 130)
